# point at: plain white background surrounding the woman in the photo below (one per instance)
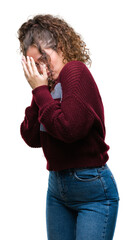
(110, 30)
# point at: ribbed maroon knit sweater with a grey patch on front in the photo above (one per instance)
(68, 123)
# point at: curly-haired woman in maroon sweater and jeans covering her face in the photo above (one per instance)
(66, 119)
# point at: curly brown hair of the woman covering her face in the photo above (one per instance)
(47, 31)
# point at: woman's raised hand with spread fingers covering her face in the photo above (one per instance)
(34, 78)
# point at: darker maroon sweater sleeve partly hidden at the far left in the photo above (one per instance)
(30, 127)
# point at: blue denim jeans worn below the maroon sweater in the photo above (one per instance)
(82, 203)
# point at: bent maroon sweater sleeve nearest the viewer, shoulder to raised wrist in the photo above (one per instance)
(71, 119)
